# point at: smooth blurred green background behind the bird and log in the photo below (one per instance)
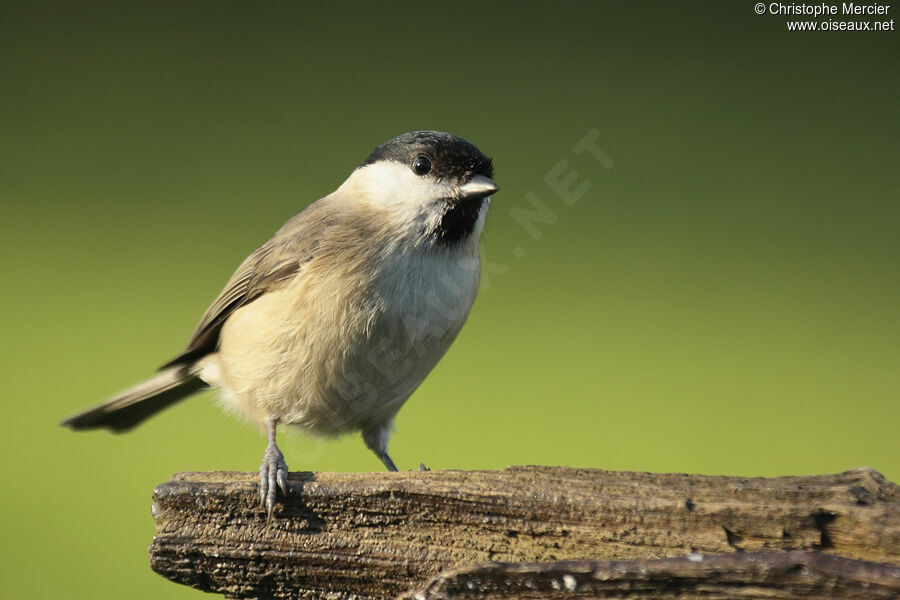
(723, 299)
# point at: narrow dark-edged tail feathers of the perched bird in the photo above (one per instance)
(132, 406)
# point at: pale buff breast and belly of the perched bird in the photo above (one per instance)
(335, 352)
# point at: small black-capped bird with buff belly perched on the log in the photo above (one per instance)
(332, 324)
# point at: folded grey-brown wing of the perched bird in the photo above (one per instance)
(278, 260)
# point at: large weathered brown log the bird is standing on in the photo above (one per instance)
(376, 535)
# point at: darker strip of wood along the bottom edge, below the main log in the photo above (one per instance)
(768, 576)
